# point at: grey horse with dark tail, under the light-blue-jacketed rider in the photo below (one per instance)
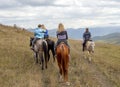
(40, 50)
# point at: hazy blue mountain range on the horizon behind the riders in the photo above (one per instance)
(78, 33)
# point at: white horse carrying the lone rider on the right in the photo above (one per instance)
(89, 48)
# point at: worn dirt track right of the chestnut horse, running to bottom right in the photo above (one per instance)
(102, 80)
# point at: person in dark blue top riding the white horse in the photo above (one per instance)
(86, 37)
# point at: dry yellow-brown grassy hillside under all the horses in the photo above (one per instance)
(18, 69)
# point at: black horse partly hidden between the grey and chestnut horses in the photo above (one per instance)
(51, 45)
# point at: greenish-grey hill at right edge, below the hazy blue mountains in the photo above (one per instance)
(113, 38)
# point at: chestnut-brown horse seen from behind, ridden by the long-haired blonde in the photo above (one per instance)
(62, 52)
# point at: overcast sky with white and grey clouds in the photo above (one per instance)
(72, 13)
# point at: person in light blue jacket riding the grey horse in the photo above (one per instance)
(38, 34)
